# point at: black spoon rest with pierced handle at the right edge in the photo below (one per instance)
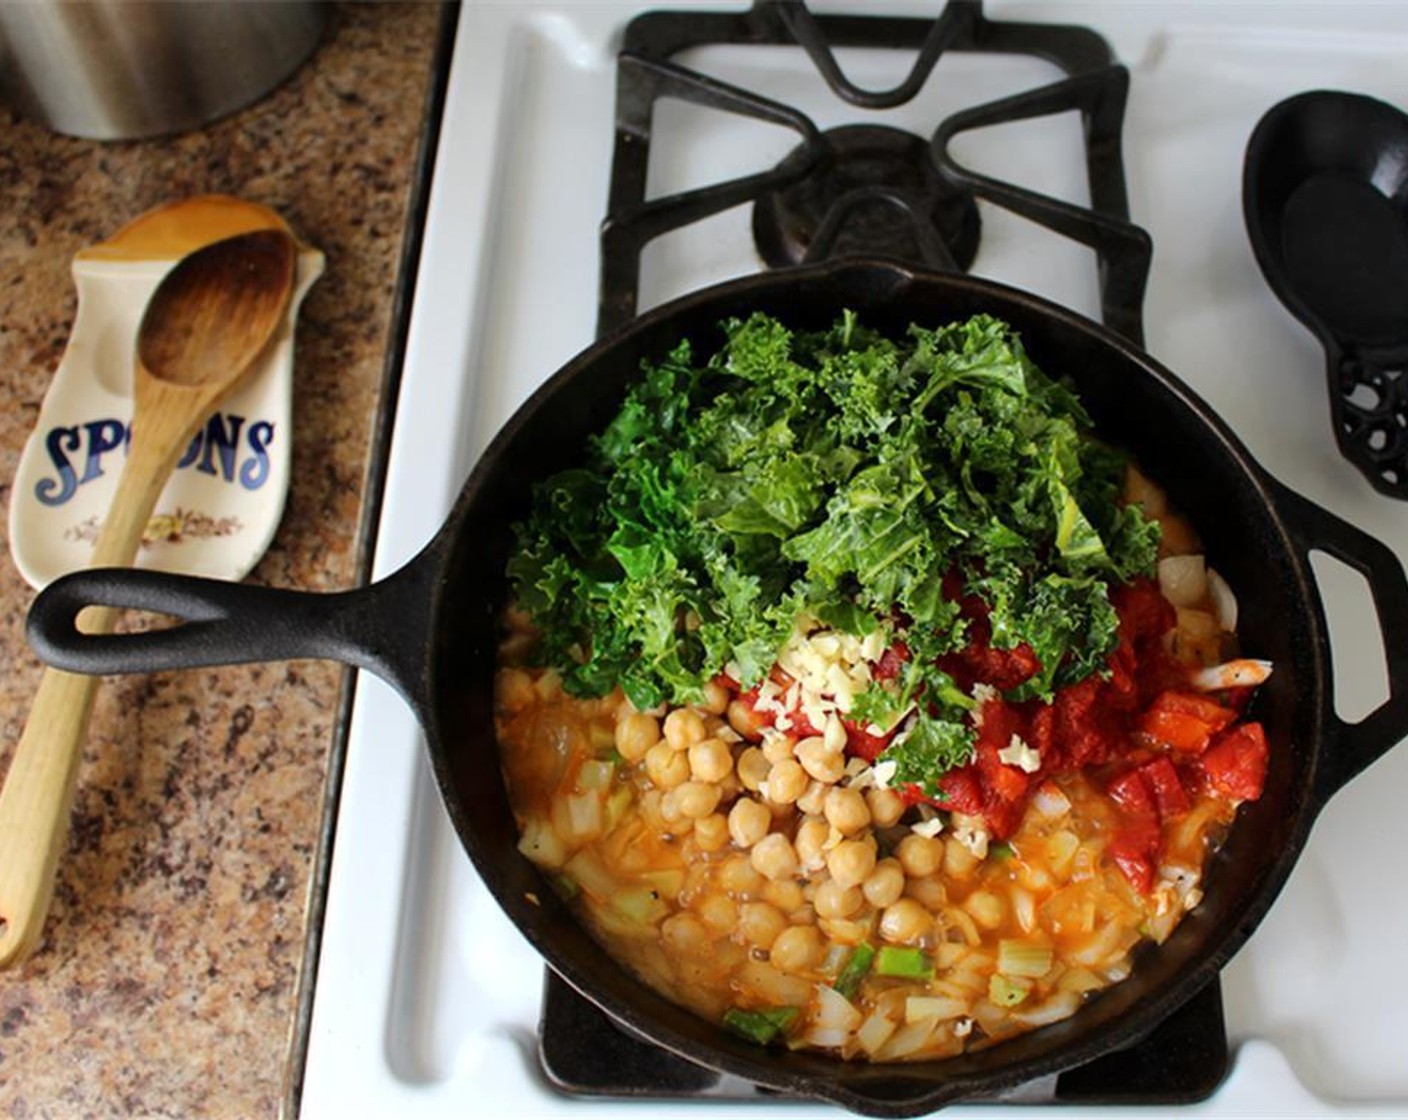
(1326, 199)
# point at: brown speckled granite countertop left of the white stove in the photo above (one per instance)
(172, 967)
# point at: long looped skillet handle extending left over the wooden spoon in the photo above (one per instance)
(382, 628)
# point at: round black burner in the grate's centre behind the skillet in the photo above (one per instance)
(875, 184)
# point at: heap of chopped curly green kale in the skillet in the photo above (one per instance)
(847, 475)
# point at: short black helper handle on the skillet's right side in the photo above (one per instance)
(1359, 745)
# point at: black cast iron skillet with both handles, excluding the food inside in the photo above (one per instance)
(430, 629)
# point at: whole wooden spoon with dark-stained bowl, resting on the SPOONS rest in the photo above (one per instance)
(205, 330)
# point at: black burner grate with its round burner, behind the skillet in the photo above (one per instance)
(826, 197)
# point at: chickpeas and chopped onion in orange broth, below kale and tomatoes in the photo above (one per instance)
(772, 885)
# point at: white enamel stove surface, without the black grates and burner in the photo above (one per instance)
(427, 1000)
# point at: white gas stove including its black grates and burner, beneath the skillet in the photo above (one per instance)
(595, 163)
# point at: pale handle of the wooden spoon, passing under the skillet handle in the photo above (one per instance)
(39, 791)
